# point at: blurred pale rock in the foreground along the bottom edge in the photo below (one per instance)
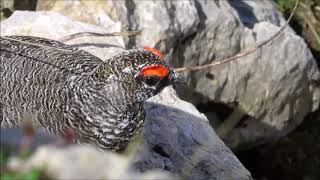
(82, 162)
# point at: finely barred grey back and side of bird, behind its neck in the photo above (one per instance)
(35, 75)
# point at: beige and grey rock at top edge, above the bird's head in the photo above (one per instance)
(158, 19)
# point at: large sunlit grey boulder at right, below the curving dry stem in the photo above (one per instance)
(281, 89)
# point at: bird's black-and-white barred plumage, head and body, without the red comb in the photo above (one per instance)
(60, 87)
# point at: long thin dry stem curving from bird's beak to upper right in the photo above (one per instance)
(242, 54)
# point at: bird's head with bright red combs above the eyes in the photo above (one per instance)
(144, 71)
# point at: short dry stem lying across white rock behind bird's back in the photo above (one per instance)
(76, 35)
